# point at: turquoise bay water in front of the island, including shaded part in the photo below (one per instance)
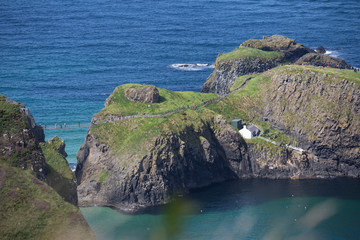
(248, 209)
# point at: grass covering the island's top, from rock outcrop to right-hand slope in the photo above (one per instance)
(275, 89)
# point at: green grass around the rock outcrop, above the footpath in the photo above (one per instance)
(169, 101)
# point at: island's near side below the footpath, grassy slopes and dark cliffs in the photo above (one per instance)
(145, 161)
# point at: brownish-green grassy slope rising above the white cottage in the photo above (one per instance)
(297, 97)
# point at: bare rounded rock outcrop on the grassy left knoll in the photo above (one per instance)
(146, 94)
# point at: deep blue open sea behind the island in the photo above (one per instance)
(63, 58)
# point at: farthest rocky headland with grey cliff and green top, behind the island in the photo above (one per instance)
(226, 71)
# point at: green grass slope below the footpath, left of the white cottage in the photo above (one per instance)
(134, 138)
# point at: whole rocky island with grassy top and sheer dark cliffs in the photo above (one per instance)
(149, 144)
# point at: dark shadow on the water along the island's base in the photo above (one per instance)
(233, 195)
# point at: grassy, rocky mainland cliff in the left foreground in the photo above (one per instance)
(37, 188)
